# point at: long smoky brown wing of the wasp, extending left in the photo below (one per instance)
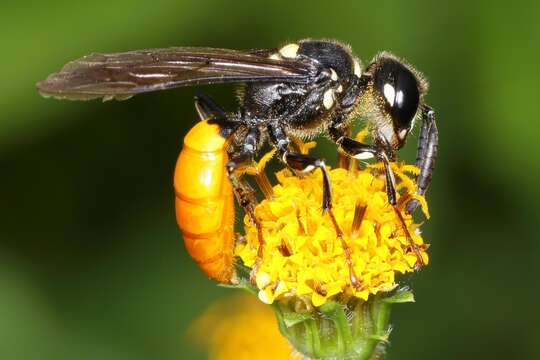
(122, 75)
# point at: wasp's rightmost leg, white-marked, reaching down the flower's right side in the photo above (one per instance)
(359, 150)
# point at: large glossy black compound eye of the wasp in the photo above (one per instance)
(399, 87)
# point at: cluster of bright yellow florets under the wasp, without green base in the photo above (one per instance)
(304, 255)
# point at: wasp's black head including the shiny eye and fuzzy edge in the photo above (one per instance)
(398, 90)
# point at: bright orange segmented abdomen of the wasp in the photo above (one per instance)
(204, 201)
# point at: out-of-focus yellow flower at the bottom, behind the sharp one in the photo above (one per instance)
(241, 328)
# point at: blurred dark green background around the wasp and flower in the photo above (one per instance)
(92, 265)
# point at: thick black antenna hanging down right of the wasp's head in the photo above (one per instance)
(426, 155)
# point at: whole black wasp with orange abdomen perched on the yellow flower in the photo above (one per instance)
(294, 92)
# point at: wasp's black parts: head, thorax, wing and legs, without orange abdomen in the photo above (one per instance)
(300, 90)
